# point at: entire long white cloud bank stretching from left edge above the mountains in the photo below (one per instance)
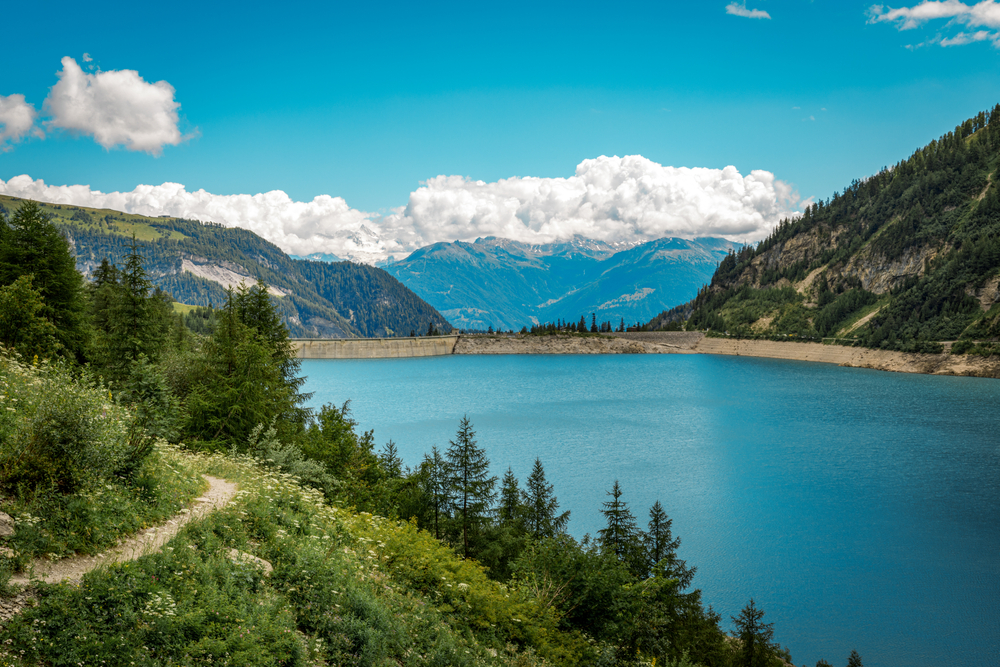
(612, 199)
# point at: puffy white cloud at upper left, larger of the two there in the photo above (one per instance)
(117, 108)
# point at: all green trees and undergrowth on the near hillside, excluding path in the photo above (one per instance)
(374, 563)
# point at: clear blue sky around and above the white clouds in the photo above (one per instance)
(365, 101)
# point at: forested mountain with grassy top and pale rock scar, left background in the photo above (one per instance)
(196, 261)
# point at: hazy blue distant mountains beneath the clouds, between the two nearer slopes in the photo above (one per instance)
(499, 282)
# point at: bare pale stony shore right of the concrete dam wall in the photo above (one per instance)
(663, 342)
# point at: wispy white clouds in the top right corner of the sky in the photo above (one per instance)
(985, 14)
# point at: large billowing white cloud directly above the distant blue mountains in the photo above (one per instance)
(609, 198)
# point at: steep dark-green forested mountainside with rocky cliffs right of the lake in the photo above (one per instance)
(904, 260)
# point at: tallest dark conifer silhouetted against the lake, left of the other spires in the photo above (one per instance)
(471, 483)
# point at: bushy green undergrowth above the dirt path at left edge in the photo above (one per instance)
(76, 477)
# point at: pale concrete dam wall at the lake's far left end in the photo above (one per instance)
(373, 348)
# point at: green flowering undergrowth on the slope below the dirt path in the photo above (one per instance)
(346, 588)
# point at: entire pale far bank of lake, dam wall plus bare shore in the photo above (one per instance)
(653, 342)
